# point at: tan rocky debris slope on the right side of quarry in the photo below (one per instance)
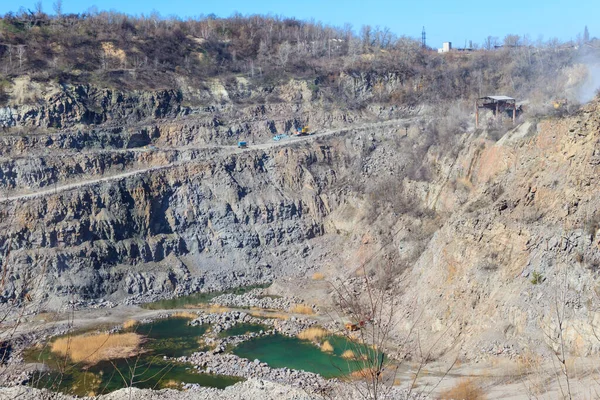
(523, 239)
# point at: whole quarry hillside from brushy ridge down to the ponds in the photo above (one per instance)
(121, 183)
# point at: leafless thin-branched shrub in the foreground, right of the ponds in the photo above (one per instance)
(371, 311)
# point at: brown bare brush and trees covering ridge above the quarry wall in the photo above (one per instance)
(150, 52)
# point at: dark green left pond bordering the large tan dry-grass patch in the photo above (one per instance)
(171, 337)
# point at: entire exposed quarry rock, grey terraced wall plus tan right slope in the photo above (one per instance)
(138, 194)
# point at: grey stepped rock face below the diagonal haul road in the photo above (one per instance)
(217, 221)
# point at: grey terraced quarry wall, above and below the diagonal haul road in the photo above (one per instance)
(137, 194)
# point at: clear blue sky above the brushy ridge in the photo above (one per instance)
(455, 21)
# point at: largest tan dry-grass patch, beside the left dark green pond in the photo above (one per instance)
(91, 349)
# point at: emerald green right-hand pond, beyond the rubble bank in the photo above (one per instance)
(281, 351)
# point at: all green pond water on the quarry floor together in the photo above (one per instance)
(173, 337)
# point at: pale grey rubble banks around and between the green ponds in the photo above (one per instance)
(219, 322)
